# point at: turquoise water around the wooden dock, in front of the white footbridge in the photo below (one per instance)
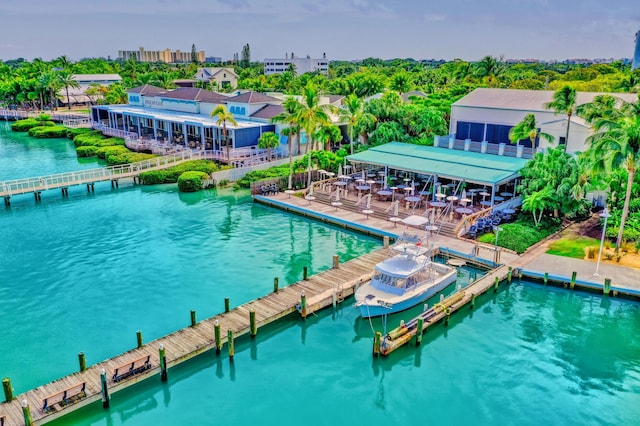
(84, 273)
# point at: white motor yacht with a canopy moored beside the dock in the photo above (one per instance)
(404, 280)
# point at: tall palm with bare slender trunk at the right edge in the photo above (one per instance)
(616, 144)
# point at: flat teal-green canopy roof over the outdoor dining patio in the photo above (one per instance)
(475, 167)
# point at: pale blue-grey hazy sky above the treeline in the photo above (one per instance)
(343, 29)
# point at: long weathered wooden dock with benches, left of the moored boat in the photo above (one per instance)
(320, 290)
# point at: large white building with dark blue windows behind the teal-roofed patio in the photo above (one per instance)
(488, 115)
